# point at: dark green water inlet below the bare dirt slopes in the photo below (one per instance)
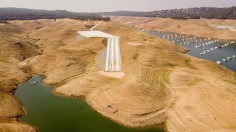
(52, 113)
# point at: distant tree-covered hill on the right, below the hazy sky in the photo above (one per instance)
(195, 13)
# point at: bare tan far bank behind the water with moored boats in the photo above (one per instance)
(195, 27)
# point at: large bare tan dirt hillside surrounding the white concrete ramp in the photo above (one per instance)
(161, 84)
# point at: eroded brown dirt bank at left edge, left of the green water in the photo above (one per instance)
(13, 48)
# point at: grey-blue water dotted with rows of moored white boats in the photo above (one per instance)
(211, 48)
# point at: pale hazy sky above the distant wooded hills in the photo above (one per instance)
(114, 5)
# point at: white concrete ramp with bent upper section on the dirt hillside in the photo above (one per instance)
(113, 56)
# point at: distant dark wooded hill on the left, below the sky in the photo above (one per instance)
(31, 14)
